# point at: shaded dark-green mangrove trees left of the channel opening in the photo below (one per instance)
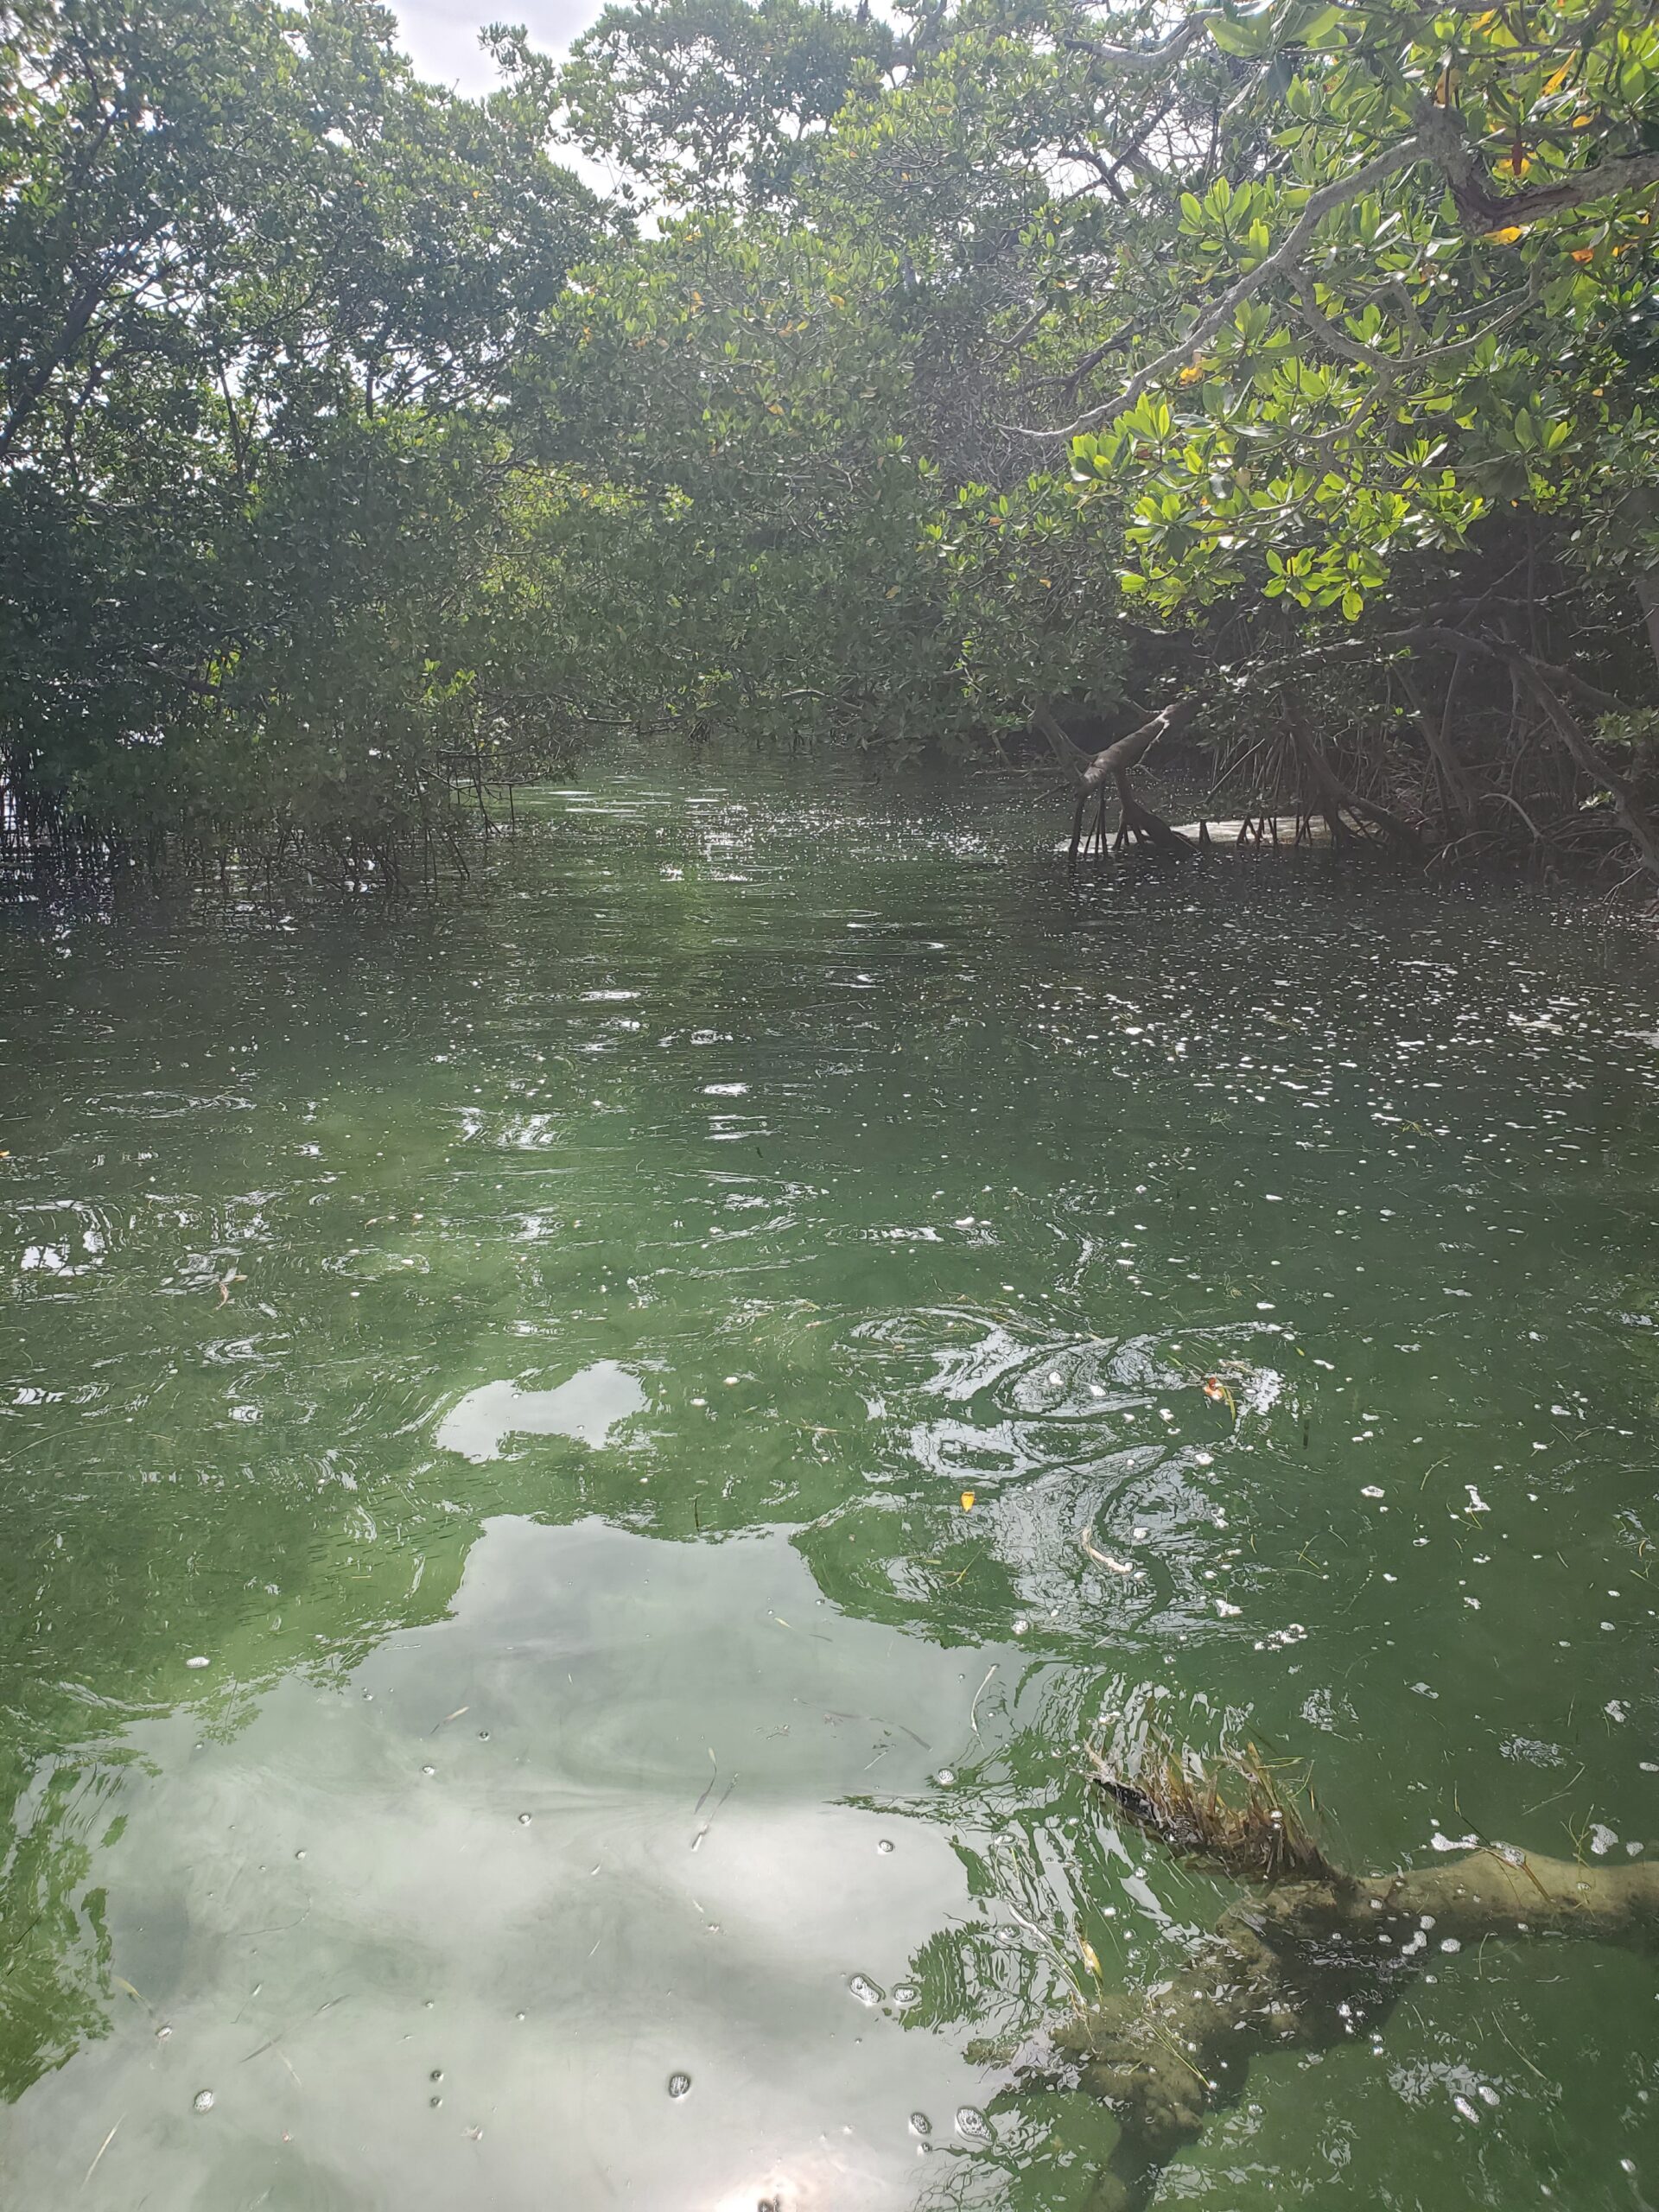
(260, 302)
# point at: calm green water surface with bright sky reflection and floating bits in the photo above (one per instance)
(536, 1350)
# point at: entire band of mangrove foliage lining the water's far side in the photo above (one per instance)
(1034, 364)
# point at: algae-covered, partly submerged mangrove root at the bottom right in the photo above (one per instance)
(1304, 1965)
